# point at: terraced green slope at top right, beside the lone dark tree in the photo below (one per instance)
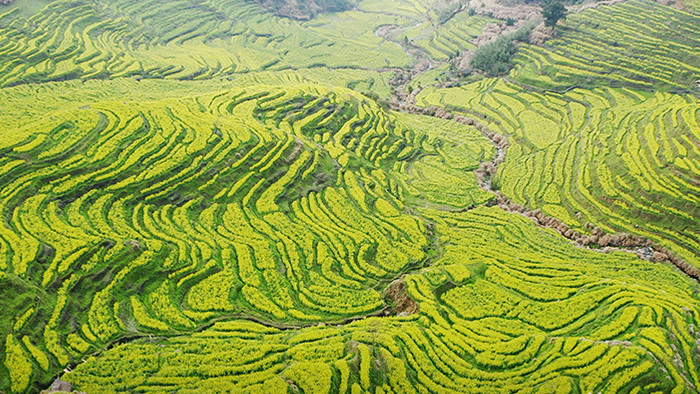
(612, 46)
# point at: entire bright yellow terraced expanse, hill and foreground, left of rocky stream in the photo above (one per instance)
(283, 213)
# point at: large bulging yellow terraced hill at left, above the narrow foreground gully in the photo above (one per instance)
(261, 202)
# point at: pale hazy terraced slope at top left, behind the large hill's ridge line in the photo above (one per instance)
(69, 40)
